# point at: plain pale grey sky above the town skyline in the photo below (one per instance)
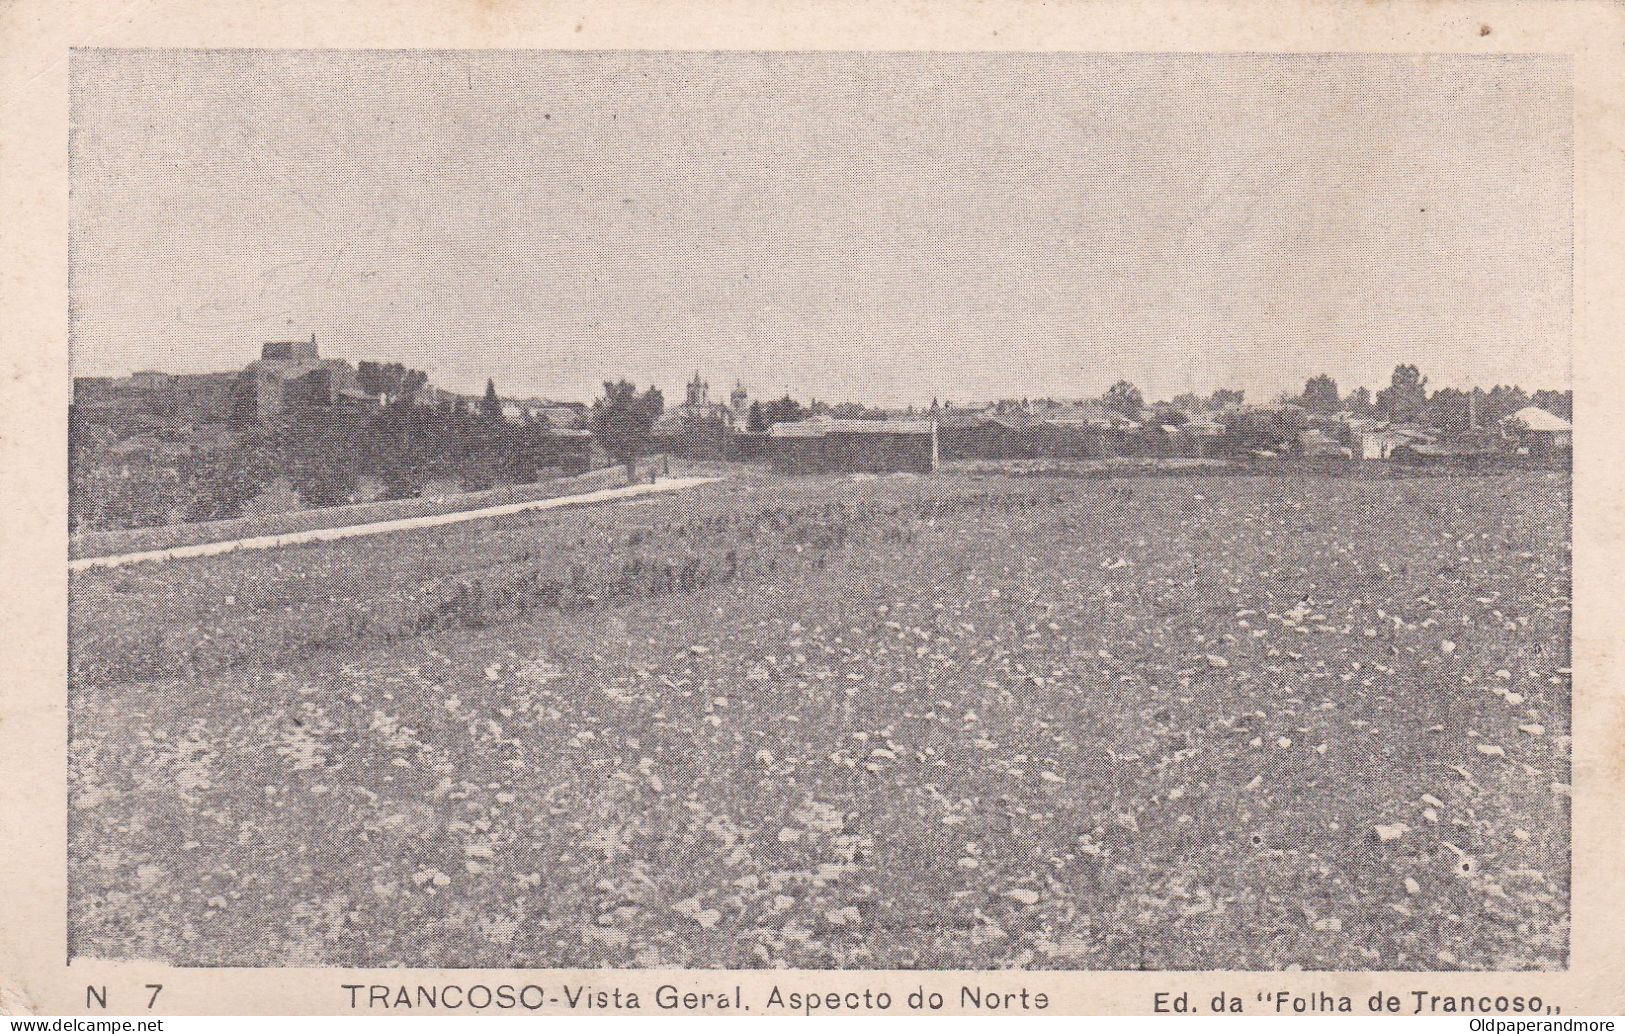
(869, 227)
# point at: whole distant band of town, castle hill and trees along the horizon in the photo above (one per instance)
(293, 430)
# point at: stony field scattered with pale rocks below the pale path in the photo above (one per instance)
(908, 723)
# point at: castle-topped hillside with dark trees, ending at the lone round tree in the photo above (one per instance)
(293, 430)
